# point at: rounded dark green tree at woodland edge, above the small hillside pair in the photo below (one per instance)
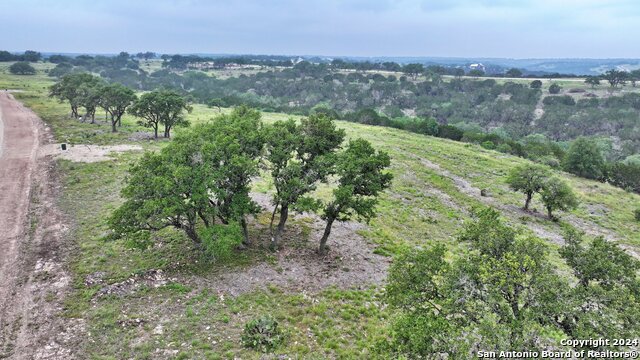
(584, 159)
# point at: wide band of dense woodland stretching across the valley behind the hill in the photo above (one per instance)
(506, 108)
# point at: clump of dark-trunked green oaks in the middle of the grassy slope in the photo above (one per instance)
(200, 182)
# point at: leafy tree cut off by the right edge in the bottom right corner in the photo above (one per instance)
(605, 303)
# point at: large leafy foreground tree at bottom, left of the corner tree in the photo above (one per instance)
(503, 294)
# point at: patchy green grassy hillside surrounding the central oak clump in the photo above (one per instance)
(182, 313)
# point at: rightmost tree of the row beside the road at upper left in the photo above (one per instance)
(161, 107)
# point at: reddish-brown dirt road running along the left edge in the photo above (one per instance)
(33, 281)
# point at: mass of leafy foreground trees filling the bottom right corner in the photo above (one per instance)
(505, 294)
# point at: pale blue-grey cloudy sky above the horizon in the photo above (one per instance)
(441, 28)
